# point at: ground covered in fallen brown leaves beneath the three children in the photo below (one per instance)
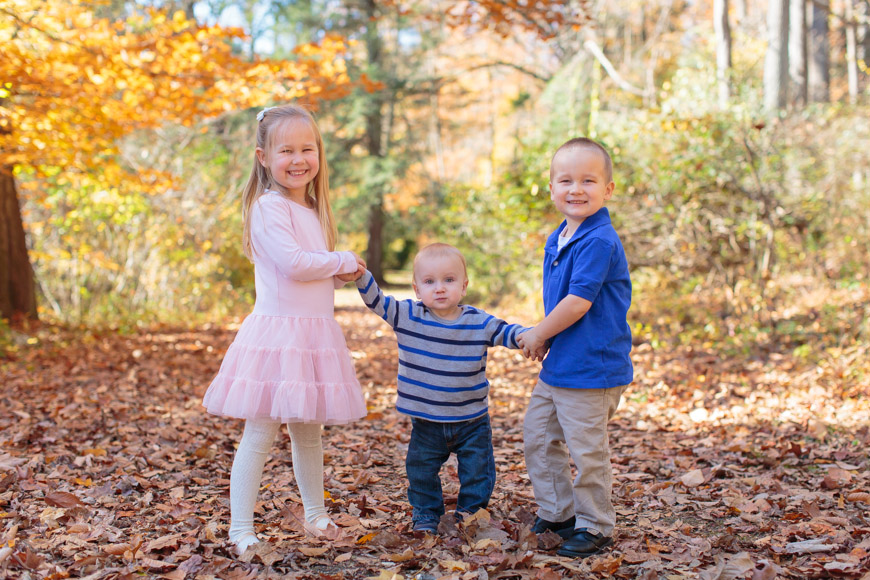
(723, 468)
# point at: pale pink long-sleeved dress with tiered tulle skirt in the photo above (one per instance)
(289, 361)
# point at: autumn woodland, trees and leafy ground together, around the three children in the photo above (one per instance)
(740, 132)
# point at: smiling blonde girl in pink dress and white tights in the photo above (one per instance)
(289, 362)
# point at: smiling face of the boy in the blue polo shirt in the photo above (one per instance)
(579, 185)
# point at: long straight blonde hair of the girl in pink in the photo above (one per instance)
(261, 178)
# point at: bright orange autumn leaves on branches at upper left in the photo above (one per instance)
(73, 84)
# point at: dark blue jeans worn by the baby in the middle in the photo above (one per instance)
(431, 445)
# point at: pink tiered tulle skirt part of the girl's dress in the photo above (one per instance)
(291, 369)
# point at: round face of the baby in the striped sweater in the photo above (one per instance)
(440, 282)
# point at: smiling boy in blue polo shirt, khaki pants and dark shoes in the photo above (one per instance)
(587, 294)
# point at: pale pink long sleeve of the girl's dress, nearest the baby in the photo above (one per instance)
(272, 234)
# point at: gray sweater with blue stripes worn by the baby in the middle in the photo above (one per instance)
(442, 363)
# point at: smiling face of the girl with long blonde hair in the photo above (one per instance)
(292, 157)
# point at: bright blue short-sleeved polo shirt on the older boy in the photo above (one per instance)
(594, 351)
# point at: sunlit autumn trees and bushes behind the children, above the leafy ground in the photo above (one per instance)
(738, 130)
